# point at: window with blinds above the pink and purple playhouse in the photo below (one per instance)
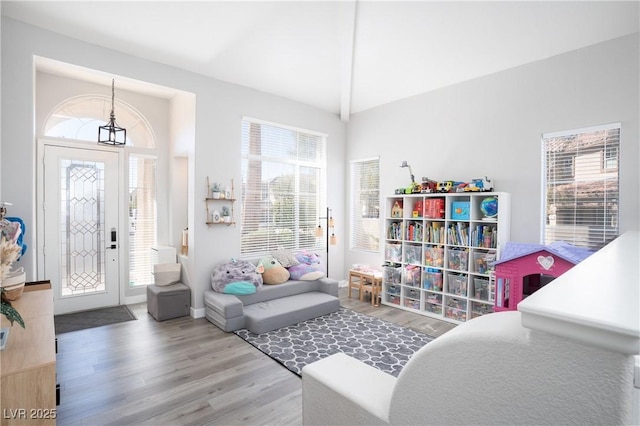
(580, 199)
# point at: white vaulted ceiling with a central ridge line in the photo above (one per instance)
(340, 56)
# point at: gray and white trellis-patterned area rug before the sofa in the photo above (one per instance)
(373, 341)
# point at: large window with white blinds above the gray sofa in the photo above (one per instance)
(283, 187)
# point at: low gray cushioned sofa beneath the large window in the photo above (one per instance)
(273, 306)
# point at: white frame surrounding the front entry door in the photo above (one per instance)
(40, 219)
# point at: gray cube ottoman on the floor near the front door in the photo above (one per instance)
(168, 301)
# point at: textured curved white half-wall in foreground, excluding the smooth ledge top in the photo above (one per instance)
(490, 370)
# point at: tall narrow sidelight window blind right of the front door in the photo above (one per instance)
(142, 218)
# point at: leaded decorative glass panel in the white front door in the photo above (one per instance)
(82, 239)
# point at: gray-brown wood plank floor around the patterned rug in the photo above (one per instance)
(185, 371)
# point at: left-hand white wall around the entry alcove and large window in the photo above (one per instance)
(218, 113)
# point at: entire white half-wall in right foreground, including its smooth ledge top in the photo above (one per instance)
(568, 356)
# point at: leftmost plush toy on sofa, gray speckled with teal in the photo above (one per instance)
(236, 276)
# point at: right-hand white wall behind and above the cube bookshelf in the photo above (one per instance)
(492, 126)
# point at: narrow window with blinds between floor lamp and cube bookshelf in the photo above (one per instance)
(365, 205)
